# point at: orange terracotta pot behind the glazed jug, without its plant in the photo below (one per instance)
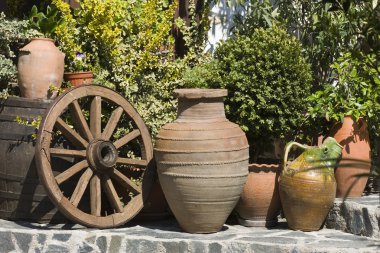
(356, 157)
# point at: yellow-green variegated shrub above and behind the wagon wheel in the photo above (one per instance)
(129, 46)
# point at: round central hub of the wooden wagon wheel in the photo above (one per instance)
(101, 155)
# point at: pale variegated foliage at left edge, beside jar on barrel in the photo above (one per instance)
(13, 34)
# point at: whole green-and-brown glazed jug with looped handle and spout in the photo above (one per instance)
(307, 185)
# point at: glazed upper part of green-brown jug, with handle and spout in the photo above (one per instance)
(315, 163)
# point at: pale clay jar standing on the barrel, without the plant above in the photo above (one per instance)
(40, 65)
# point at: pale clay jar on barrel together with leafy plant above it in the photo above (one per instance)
(41, 63)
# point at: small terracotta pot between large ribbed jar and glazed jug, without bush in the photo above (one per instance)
(259, 204)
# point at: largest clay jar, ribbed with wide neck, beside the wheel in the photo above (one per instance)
(202, 161)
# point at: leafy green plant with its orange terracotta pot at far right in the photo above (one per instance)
(350, 103)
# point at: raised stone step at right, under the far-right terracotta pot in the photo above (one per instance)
(358, 216)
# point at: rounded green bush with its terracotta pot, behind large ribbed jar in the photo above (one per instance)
(268, 82)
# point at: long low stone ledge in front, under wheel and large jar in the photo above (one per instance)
(166, 236)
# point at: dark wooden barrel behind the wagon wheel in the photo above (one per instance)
(22, 197)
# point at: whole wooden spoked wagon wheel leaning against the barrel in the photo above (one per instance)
(98, 173)
